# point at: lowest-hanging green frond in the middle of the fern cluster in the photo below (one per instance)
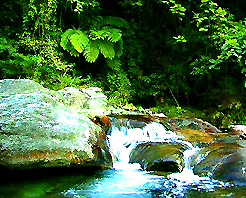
(91, 51)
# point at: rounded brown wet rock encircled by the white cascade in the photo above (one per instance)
(159, 156)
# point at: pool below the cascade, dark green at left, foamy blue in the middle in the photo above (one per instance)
(130, 182)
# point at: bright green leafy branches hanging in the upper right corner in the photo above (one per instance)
(223, 33)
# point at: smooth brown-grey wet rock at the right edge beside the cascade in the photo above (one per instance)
(225, 161)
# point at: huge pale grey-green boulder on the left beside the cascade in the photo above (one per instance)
(36, 130)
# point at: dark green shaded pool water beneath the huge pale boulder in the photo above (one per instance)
(41, 183)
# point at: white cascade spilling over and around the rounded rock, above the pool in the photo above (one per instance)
(123, 139)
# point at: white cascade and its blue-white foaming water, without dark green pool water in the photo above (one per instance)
(128, 180)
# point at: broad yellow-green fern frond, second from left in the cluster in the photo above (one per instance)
(79, 41)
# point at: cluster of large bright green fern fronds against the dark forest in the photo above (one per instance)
(107, 40)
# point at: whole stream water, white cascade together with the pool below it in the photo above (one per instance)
(125, 180)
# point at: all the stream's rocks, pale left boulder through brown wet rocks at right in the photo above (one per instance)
(68, 128)
